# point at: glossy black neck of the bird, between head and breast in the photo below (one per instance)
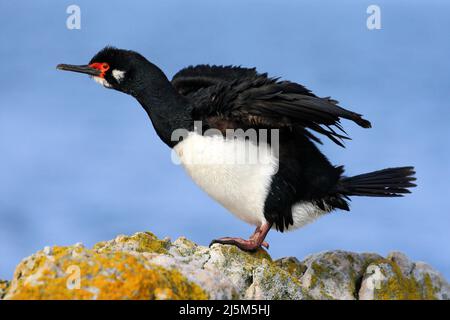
(167, 109)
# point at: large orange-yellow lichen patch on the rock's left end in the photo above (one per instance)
(112, 276)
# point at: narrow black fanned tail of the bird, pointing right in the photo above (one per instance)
(392, 182)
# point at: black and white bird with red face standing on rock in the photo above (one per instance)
(285, 189)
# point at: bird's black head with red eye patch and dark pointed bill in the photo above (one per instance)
(113, 68)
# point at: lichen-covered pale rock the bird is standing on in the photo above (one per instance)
(142, 266)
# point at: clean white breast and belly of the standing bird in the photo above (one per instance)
(229, 172)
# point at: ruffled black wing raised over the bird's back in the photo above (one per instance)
(240, 97)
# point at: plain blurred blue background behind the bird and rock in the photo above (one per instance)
(79, 163)
